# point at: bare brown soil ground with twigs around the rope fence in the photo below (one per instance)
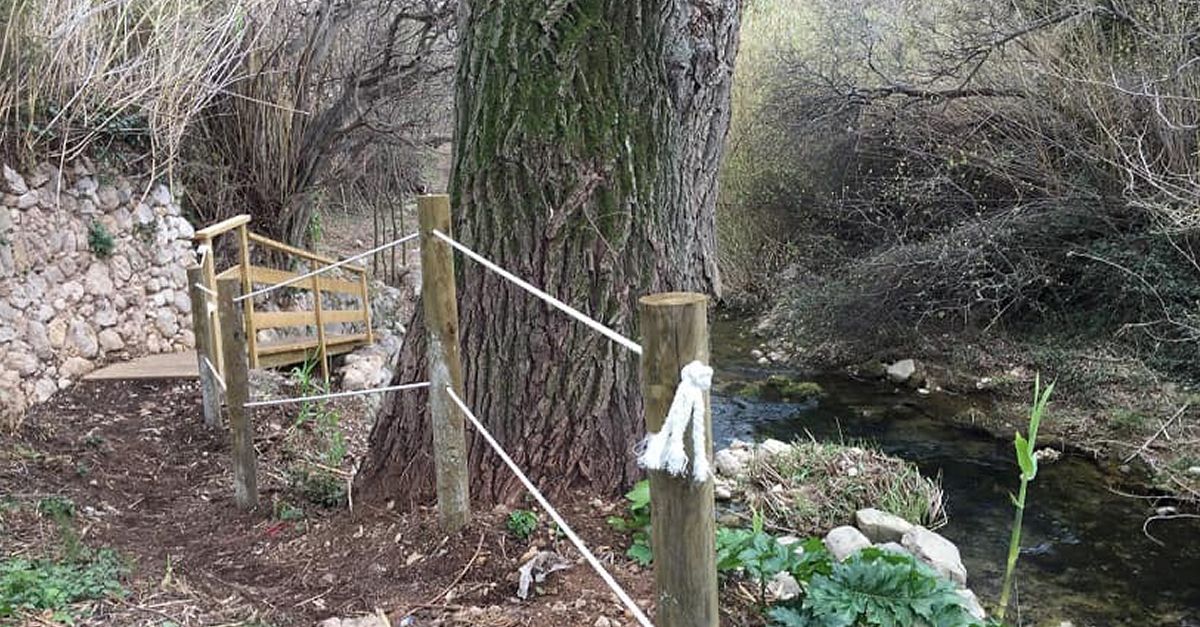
(152, 482)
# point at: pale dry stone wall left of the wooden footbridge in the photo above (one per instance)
(92, 271)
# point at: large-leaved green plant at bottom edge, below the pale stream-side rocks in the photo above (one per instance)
(877, 588)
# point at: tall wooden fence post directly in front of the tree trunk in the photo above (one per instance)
(445, 366)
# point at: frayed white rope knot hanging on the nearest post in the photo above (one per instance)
(665, 450)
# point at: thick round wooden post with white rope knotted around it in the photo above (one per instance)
(675, 332)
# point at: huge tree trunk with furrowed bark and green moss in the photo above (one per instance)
(589, 140)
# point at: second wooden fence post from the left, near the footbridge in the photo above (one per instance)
(242, 429)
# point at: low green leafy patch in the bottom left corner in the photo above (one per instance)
(39, 586)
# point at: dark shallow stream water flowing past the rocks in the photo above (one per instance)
(1085, 558)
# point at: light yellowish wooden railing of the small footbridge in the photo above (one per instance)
(291, 350)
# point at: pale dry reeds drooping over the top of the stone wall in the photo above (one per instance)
(77, 75)
